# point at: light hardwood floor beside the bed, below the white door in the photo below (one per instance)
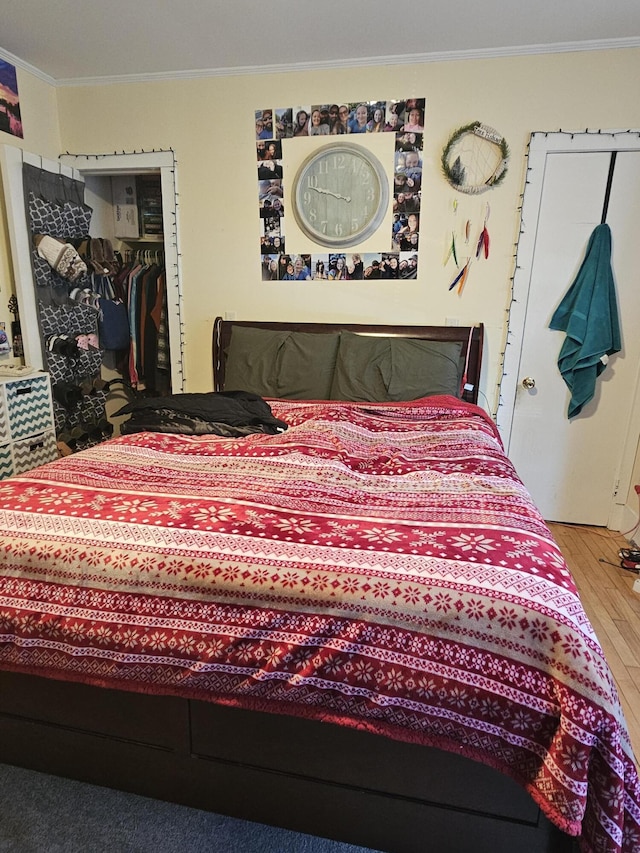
(611, 605)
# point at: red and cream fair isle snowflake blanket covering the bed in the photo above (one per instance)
(376, 565)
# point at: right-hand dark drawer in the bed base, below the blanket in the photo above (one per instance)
(289, 744)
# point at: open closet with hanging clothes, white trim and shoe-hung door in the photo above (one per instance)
(129, 203)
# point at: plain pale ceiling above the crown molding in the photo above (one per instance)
(72, 41)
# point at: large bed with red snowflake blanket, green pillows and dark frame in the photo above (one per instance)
(340, 613)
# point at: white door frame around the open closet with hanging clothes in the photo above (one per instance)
(76, 167)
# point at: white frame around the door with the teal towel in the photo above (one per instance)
(541, 145)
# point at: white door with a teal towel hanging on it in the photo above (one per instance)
(572, 467)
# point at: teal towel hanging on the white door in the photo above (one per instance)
(588, 313)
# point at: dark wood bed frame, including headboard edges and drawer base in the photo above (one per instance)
(304, 775)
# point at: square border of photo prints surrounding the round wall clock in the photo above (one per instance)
(405, 119)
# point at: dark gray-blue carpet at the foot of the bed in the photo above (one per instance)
(46, 814)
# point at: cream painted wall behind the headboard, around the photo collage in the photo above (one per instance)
(208, 122)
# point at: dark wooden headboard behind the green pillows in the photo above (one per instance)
(474, 334)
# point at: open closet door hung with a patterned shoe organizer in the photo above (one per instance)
(63, 336)
